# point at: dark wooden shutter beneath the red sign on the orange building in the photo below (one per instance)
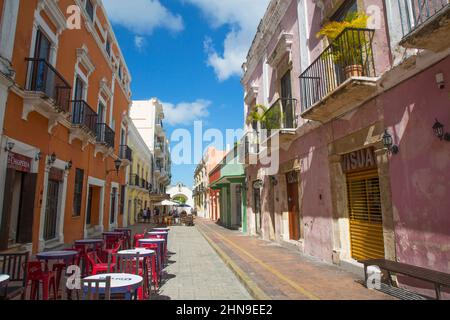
(26, 215)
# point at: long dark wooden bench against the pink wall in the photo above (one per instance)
(439, 279)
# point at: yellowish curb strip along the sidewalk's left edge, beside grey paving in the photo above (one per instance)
(250, 285)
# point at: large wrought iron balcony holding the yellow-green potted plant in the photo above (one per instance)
(348, 62)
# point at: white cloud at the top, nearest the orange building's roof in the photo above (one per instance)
(142, 16)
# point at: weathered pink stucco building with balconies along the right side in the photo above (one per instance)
(341, 192)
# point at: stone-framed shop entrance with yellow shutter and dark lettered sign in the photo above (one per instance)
(363, 226)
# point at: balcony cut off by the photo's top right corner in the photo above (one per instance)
(425, 24)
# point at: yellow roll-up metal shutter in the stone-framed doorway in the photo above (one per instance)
(365, 216)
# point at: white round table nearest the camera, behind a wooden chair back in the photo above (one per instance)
(120, 282)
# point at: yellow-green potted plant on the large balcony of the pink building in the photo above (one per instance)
(349, 51)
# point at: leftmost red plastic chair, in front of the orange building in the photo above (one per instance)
(36, 275)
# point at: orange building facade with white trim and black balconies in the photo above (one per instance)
(64, 97)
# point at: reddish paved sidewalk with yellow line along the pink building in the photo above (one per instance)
(271, 271)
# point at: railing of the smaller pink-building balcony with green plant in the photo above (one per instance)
(281, 115)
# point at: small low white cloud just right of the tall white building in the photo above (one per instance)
(185, 112)
